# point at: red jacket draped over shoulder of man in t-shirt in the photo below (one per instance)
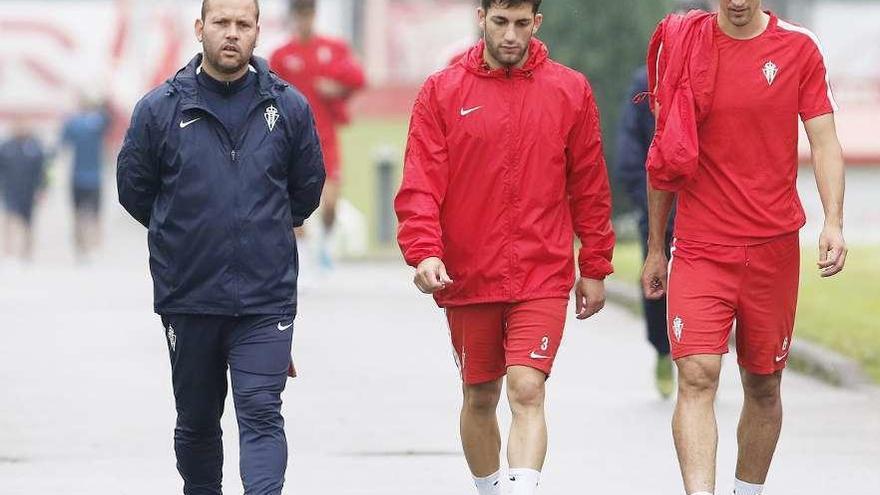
(682, 63)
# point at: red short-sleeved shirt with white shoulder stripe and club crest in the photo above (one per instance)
(745, 192)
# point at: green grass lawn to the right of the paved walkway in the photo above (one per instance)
(841, 313)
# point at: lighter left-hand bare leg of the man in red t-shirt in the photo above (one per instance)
(693, 425)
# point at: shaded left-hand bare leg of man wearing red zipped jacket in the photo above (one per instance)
(480, 436)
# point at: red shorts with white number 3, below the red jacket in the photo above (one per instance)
(488, 338)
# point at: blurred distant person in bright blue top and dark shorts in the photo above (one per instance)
(84, 134)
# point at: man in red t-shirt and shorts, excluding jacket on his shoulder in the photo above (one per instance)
(736, 253)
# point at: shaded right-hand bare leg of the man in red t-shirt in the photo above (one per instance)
(759, 426)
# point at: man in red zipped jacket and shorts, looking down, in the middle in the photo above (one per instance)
(503, 166)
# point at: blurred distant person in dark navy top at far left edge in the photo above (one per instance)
(23, 177)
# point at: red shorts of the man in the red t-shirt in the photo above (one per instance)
(711, 285)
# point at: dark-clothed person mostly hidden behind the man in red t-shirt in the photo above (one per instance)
(633, 140)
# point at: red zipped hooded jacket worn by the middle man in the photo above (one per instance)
(502, 167)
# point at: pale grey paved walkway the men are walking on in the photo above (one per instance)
(86, 405)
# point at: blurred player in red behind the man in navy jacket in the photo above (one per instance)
(326, 72)
